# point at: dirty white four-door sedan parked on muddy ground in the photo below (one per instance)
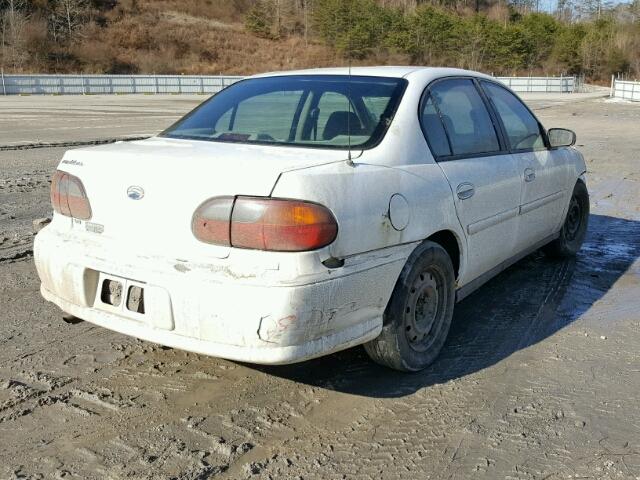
(296, 214)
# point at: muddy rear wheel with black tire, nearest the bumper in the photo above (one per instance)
(418, 316)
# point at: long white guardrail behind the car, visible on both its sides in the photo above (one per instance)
(195, 84)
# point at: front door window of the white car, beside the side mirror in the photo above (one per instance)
(521, 127)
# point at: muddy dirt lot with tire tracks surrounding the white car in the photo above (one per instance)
(540, 378)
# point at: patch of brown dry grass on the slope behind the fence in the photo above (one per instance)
(190, 37)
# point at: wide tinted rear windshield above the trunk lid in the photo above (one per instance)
(328, 111)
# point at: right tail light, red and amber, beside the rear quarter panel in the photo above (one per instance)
(264, 224)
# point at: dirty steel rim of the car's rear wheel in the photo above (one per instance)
(424, 309)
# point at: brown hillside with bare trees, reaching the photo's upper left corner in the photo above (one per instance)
(147, 36)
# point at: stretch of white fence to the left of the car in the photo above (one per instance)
(112, 84)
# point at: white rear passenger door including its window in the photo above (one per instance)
(484, 178)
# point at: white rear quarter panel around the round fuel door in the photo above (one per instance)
(360, 196)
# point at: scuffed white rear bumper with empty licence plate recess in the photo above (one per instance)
(198, 308)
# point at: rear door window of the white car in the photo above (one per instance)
(465, 117)
